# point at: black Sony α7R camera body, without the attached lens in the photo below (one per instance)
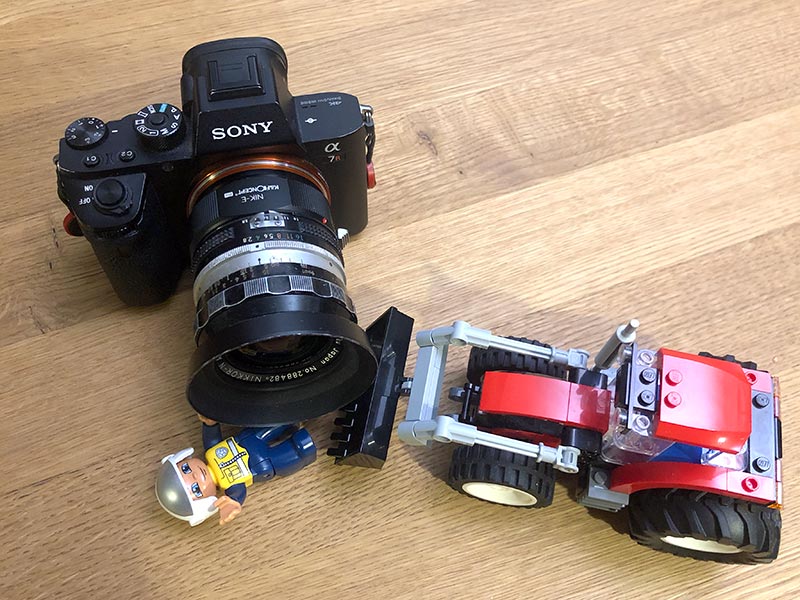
(127, 182)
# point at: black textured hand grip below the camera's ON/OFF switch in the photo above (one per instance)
(143, 262)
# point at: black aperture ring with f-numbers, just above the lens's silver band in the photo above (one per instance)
(271, 227)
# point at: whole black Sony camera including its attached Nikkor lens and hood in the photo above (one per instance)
(256, 190)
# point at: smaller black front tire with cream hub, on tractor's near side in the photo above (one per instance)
(480, 464)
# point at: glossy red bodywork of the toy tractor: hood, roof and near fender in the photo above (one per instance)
(703, 402)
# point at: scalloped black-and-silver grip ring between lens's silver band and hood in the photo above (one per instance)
(268, 285)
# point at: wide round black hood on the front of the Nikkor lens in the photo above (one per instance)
(215, 394)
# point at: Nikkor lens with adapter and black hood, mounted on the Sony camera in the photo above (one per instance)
(277, 339)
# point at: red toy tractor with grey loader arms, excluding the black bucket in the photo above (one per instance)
(690, 444)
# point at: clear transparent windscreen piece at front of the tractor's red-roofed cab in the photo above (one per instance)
(624, 445)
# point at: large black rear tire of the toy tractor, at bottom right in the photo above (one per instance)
(754, 529)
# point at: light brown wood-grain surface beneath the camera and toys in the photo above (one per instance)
(546, 169)
